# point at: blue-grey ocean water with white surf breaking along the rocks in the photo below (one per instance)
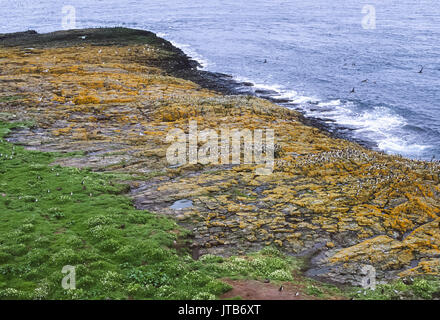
(310, 53)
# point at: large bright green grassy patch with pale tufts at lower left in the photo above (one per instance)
(53, 216)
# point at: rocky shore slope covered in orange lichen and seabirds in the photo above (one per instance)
(115, 93)
